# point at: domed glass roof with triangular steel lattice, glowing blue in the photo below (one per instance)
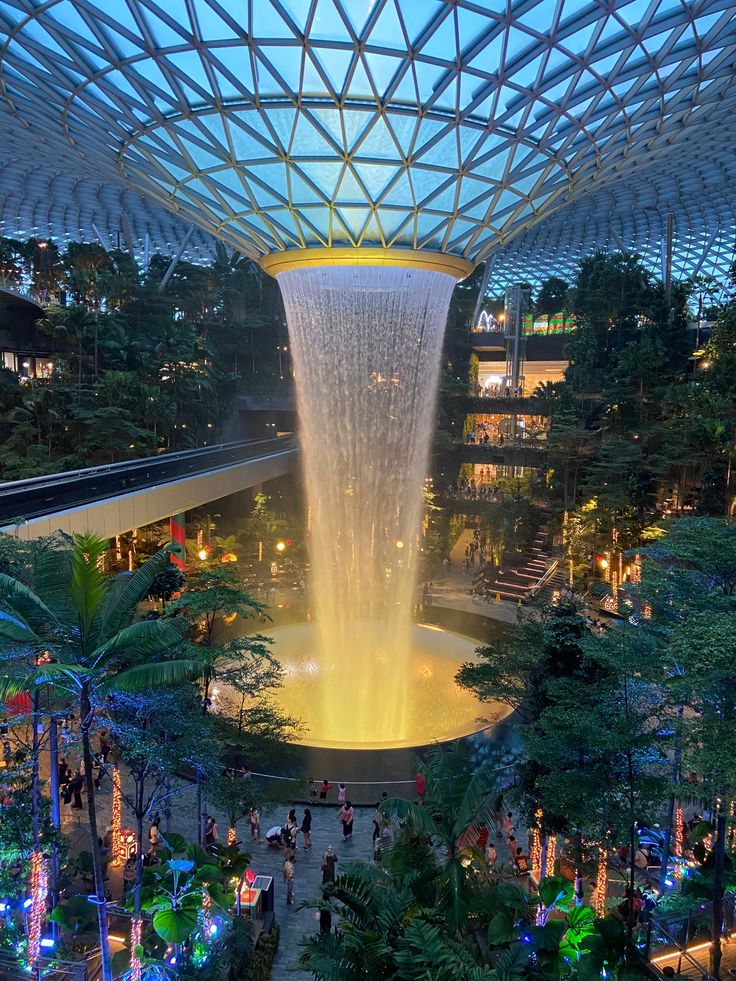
(534, 130)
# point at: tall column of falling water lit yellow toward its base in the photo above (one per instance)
(366, 343)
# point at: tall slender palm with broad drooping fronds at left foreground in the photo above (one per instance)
(79, 629)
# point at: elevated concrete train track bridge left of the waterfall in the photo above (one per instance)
(114, 499)
